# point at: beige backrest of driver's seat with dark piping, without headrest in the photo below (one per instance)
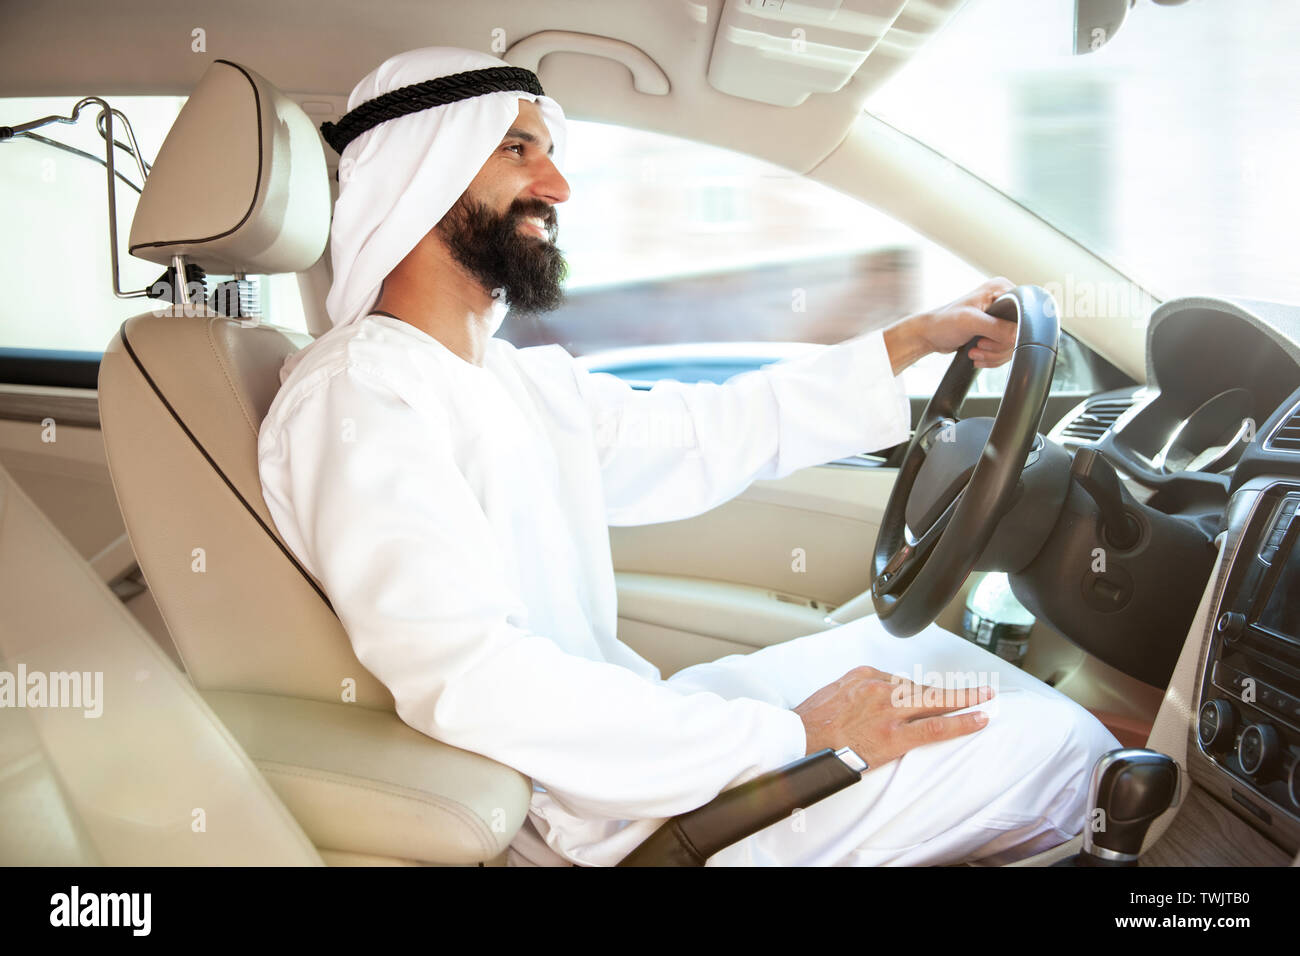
(181, 403)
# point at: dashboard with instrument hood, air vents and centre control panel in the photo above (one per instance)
(1215, 438)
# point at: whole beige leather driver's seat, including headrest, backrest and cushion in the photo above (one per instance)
(241, 187)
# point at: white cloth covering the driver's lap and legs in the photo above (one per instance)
(1011, 790)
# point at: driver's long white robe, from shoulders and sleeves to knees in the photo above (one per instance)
(458, 518)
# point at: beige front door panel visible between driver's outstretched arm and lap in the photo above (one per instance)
(765, 568)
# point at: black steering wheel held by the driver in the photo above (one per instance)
(960, 478)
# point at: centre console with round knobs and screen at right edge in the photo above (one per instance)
(1246, 743)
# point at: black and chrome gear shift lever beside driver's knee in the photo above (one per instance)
(1129, 790)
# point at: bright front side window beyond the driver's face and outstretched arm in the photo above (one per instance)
(695, 263)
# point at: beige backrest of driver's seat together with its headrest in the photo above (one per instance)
(240, 185)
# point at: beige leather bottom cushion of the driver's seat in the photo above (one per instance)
(365, 782)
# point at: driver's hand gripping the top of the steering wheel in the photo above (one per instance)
(950, 328)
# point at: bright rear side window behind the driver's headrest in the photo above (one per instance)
(54, 252)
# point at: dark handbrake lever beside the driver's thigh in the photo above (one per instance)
(691, 838)
